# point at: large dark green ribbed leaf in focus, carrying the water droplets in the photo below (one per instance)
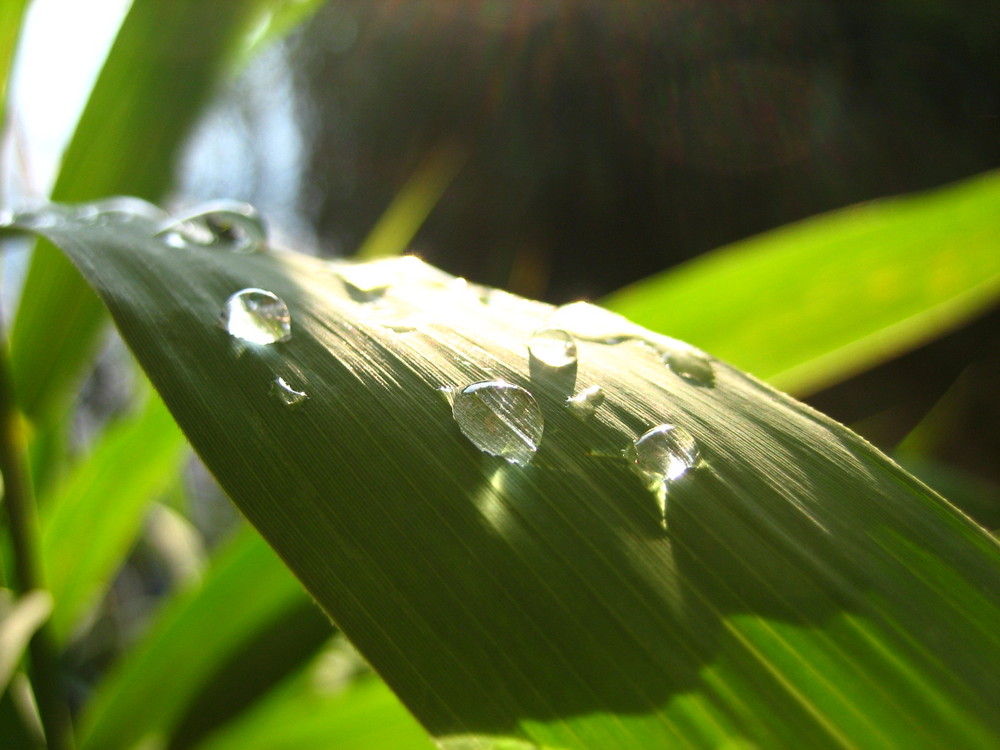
(806, 592)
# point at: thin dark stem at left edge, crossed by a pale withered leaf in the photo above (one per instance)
(20, 506)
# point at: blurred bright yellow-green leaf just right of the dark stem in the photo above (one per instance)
(90, 520)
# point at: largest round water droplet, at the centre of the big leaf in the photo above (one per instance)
(500, 418)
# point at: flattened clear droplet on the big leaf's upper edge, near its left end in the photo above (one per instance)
(229, 225)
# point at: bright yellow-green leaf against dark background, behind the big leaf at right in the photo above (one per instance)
(814, 302)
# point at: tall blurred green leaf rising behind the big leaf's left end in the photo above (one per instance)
(163, 66)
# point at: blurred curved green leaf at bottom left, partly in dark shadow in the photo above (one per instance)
(196, 634)
